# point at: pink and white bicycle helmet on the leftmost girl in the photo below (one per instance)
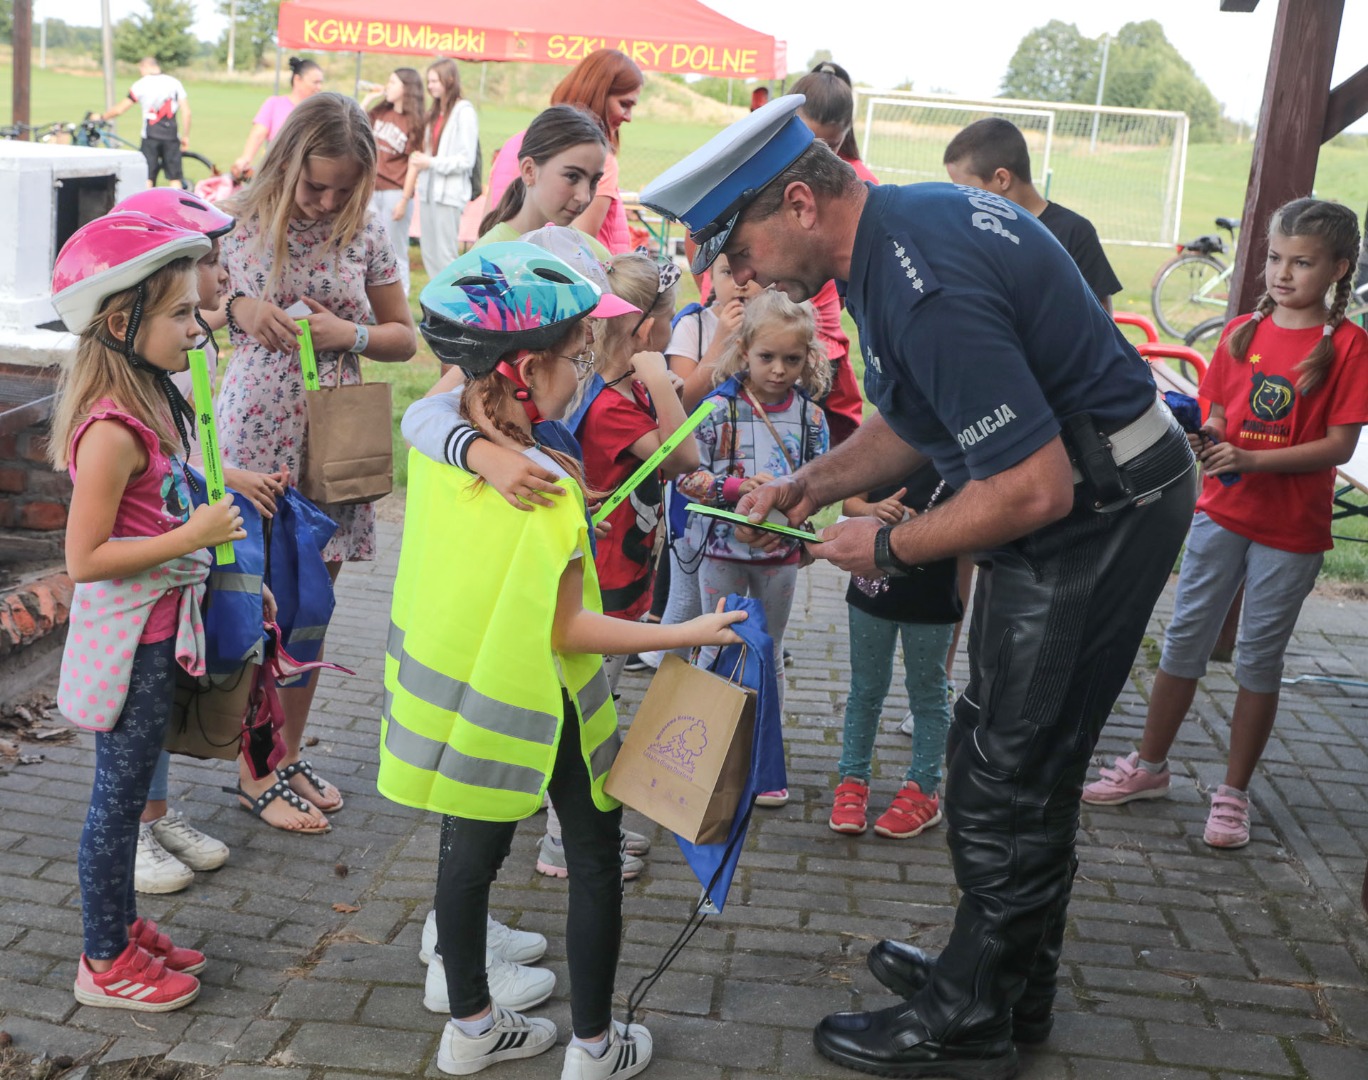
(113, 254)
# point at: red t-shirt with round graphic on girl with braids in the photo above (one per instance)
(1266, 411)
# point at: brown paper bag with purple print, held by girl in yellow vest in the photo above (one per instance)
(686, 758)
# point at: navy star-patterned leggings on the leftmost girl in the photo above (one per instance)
(125, 760)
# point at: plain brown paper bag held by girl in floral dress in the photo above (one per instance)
(350, 448)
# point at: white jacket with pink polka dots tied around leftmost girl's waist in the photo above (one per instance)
(107, 619)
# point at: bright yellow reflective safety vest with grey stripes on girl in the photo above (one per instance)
(473, 688)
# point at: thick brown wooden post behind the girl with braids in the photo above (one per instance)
(1291, 121)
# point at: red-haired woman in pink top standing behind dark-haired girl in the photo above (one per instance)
(608, 84)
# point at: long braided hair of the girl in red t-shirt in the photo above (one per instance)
(1337, 229)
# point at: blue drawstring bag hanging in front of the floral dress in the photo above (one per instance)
(299, 577)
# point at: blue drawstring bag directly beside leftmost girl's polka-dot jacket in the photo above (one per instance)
(233, 626)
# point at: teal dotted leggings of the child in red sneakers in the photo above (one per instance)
(873, 643)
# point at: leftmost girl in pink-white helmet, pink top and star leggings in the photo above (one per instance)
(127, 284)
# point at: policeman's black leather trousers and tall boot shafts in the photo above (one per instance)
(1058, 621)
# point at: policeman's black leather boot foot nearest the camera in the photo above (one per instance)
(895, 1042)
